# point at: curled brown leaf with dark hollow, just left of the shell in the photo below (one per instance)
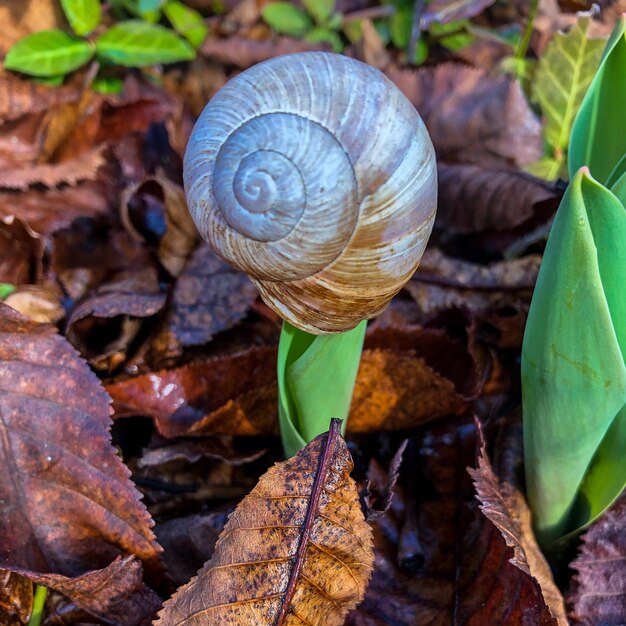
(157, 200)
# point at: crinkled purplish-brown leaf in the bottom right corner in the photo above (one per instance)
(598, 593)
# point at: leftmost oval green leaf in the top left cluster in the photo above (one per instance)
(48, 53)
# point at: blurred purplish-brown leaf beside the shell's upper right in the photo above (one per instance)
(472, 117)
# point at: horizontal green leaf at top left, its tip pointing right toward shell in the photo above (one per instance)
(136, 44)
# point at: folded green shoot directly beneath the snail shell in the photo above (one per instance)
(316, 375)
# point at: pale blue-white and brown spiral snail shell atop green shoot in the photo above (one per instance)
(315, 175)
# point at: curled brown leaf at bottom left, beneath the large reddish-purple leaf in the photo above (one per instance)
(116, 593)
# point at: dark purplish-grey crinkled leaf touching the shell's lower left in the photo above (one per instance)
(209, 297)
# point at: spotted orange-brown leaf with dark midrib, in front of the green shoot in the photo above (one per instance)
(296, 550)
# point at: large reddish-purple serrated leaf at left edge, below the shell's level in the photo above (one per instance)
(68, 507)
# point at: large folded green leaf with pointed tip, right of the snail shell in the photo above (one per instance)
(573, 371)
